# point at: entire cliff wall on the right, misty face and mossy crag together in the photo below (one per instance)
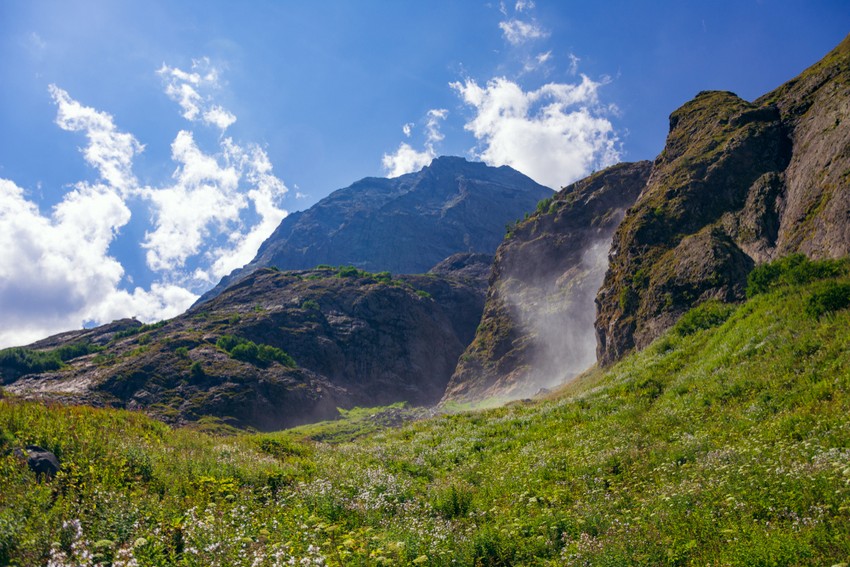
(738, 184)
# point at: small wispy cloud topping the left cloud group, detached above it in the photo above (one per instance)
(188, 89)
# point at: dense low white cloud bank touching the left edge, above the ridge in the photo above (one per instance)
(57, 271)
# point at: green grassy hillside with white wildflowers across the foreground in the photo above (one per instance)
(727, 442)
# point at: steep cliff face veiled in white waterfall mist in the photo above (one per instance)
(536, 328)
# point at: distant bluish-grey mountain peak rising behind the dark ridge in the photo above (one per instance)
(403, 225)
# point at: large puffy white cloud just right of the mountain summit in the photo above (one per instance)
(555, 134)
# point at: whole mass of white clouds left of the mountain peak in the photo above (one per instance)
(58, 272)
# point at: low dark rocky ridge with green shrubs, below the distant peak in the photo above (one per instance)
(273, 350)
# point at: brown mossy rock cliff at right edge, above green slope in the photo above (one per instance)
(738, 183)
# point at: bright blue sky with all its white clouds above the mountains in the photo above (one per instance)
(148, 148)
